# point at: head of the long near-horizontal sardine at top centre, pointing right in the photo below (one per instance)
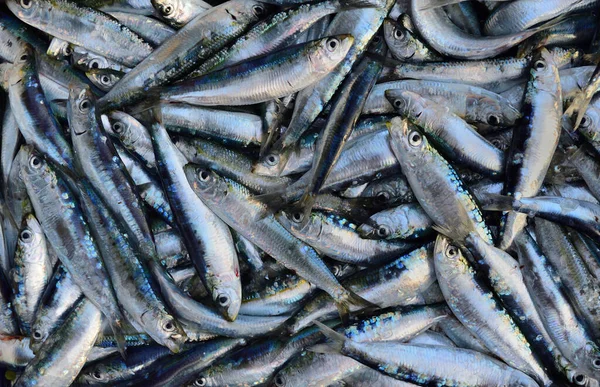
(325, 54)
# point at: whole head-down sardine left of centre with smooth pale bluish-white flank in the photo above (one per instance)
(207, 238)
